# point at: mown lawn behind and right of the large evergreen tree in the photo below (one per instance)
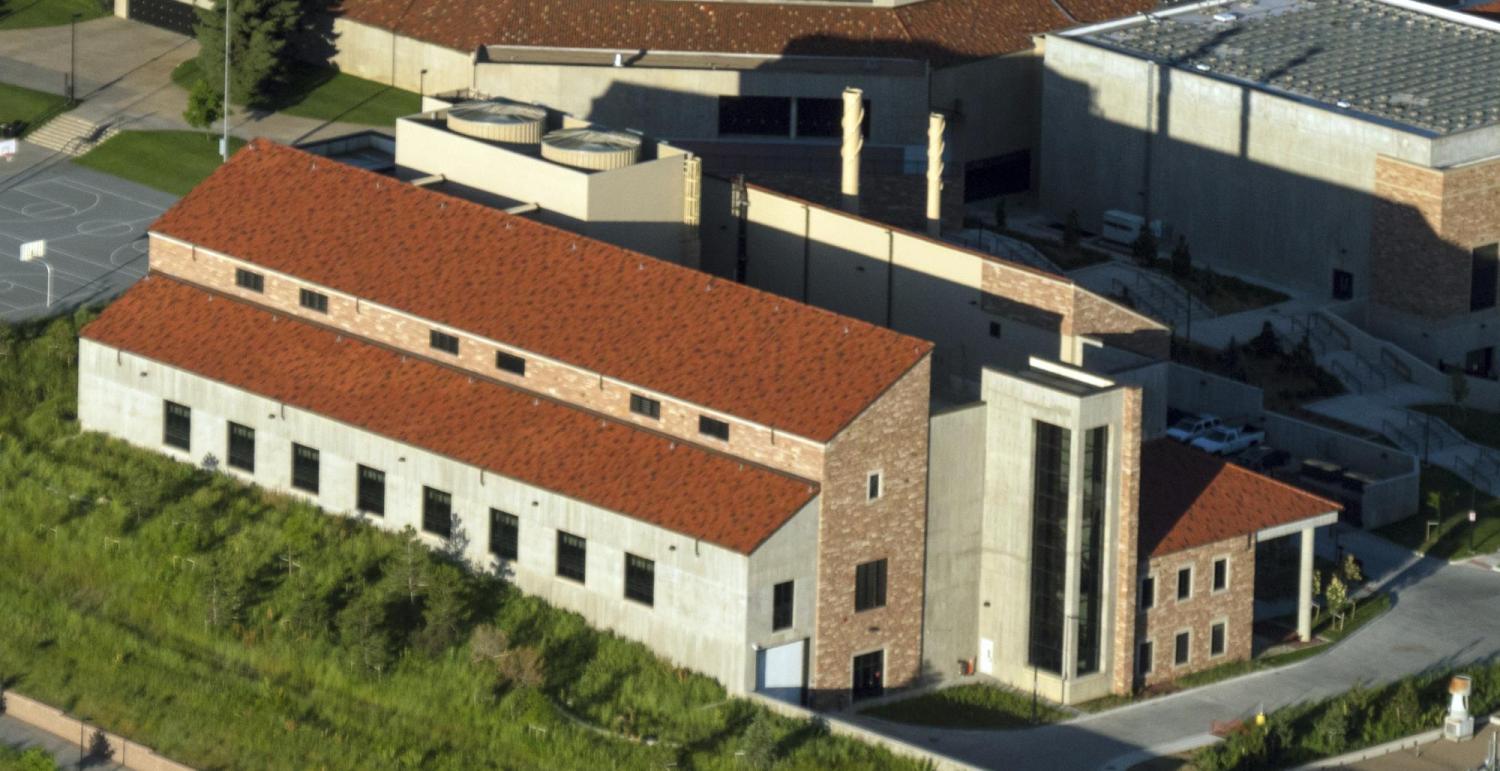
(326, 94)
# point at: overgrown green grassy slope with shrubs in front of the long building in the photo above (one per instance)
(152, 598)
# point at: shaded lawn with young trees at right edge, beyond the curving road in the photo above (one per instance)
(1454, 533)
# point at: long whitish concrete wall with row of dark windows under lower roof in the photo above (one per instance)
(703, 592)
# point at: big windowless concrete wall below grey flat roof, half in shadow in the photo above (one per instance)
(1258, 184)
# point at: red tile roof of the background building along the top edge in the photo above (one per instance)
(943, 32)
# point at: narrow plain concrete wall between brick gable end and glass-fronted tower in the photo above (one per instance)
(955, 529)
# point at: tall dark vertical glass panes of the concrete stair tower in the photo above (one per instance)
(1049, 572)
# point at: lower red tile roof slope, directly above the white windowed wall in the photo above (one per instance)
(409, 400)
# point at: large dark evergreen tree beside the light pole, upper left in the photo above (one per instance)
(260, 34)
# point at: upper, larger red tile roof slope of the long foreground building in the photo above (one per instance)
(628, 316)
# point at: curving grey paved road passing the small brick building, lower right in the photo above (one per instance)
(1442, 617)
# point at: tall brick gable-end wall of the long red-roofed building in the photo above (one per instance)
(890, 437)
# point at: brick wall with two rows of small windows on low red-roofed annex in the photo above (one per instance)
(1235, 607)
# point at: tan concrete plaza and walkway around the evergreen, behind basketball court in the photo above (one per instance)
(125, 80)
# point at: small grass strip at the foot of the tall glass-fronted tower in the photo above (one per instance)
(973, 706)
